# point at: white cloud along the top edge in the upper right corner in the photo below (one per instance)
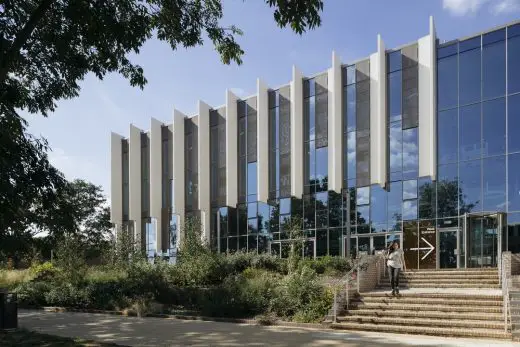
(466, 7)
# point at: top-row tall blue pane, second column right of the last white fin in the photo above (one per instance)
(469, 77)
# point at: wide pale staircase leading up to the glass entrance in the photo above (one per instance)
(459, 303)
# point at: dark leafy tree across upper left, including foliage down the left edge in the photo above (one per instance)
(47, 47)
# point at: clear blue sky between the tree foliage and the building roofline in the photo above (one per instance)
(79, 130)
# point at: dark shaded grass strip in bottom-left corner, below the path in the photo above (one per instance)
(24, 338)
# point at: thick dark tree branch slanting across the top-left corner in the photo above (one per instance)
(10, 56)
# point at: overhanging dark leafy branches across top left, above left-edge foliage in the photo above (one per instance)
(48, 46)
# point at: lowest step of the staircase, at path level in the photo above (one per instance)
(459, 332)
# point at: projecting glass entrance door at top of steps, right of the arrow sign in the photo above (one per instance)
(484, 239)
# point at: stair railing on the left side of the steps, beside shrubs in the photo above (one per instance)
(360, 264)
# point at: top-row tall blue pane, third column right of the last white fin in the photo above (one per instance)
(494, 70)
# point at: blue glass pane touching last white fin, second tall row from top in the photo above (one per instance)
(447, 132)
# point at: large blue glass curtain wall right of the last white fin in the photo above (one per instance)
(478, 112)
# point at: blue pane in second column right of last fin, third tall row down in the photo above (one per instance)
(470, 185)
